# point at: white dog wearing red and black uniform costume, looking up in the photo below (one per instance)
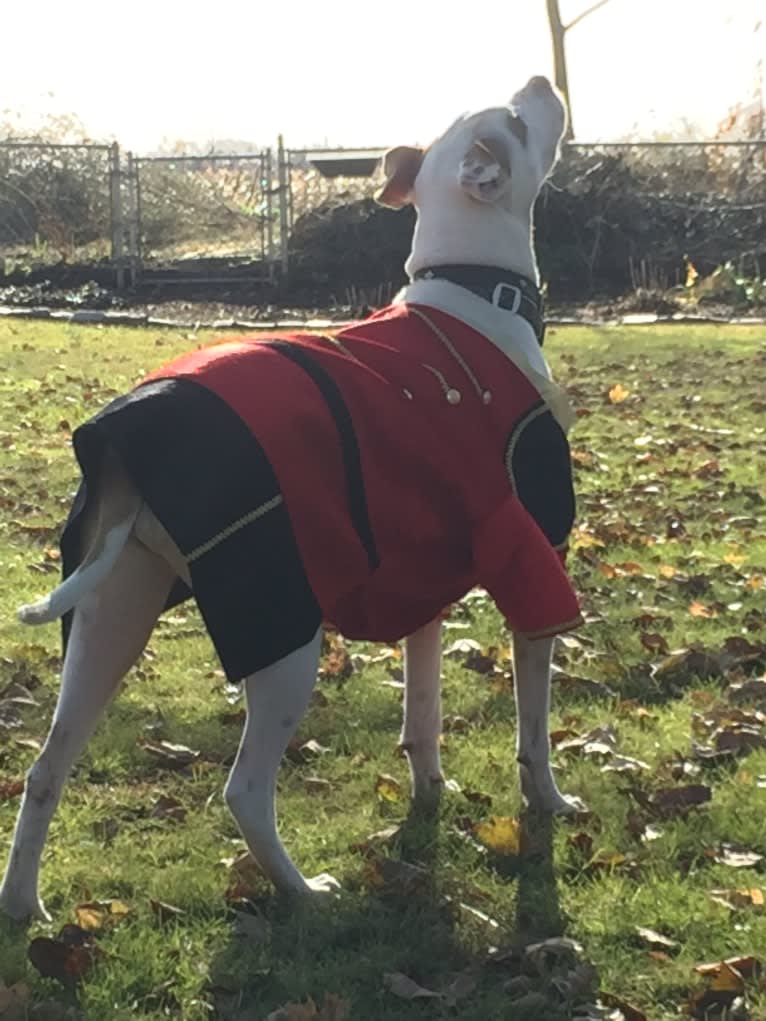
(369, 480)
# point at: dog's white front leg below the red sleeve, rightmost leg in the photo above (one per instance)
(533, 687)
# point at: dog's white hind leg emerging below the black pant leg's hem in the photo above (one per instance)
(277, 698)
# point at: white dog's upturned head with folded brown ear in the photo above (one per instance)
(500, 157)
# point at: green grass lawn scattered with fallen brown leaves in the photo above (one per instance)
(659, 723)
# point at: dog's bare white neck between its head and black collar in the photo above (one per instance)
(447, 234)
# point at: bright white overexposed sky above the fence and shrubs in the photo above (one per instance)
(355, 73)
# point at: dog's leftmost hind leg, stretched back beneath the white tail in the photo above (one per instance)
(111, 627)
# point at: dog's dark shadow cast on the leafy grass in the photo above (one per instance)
(395, 917)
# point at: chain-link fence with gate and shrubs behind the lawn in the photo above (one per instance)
(614, 217)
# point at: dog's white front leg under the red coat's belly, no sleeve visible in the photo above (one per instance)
(422, 725)
